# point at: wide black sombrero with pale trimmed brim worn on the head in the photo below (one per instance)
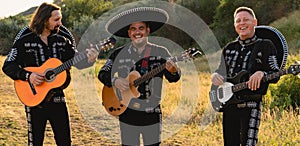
(155, 17)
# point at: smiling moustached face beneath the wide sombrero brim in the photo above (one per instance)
(138, 33)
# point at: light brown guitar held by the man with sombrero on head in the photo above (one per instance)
(116, 102)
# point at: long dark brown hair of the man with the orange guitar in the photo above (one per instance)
(41, 16)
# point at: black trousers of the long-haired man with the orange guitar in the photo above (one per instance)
(58, 117)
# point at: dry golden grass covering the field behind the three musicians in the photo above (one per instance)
(188, 116)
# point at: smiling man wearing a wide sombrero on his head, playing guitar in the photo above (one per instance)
(143, 114)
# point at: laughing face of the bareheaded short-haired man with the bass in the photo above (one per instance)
(244, 24)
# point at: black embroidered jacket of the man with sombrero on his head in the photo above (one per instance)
(126, 59)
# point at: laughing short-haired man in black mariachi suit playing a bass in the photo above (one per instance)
(254, 51)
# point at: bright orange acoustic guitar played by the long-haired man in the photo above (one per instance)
(55, 75)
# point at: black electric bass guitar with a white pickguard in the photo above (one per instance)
(222, 96)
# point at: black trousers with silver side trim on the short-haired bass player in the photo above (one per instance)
(241, 124)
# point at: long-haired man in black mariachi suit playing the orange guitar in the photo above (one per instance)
(45, 38)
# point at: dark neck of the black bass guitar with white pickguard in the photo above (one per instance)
(243, 85)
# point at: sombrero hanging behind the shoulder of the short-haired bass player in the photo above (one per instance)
(271, 33)
